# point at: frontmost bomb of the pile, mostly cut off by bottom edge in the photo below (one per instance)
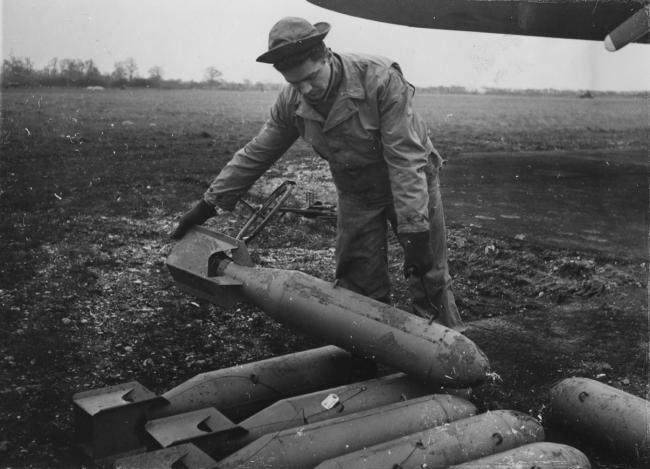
(540, 455)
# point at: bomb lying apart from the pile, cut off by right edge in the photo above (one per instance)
(609, 415)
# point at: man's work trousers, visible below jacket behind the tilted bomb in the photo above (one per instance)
(362, 255)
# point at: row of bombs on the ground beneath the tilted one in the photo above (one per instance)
(390, 421)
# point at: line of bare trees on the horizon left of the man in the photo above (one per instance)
(21, 72)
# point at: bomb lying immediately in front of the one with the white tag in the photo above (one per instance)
(308, 445)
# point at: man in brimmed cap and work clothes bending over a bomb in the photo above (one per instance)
(356, 112)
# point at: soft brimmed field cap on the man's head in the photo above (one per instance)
(290, 36)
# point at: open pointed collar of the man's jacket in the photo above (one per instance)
(350, 89)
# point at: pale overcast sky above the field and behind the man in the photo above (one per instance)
(184, 37)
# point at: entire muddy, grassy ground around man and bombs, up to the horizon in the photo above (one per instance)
(547, 238)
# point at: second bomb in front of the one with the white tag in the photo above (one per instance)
(456, 442)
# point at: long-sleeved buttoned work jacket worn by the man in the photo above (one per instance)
(376, 145)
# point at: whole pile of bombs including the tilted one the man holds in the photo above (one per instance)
(419, 419)
